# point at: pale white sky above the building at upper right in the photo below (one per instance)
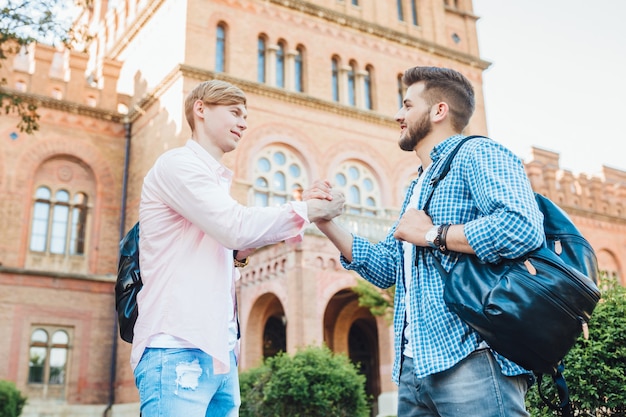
(557, 79)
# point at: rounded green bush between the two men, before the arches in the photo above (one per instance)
(312, 383)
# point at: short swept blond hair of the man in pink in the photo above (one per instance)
(213, 92)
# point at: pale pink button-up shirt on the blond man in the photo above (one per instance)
(189, 227)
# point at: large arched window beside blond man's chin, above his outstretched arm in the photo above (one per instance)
(278, 177)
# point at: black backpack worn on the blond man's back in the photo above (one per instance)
(128, 284)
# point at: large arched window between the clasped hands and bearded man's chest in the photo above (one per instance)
(360, 188)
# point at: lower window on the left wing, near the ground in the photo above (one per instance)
(48, 356)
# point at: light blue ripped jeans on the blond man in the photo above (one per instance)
(181, 382)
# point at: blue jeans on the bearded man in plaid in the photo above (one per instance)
(473, 387)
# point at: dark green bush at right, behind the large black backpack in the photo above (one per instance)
(595, 369)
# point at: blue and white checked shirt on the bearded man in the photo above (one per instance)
(488, 191)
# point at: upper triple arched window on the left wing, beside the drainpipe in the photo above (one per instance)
(59, 223)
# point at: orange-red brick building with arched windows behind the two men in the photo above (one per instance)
(323, 82)
